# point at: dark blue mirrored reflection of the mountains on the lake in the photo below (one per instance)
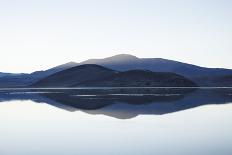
(122, 103)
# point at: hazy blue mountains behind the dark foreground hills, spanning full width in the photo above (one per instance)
(123, 62)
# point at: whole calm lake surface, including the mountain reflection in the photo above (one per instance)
(116, 122)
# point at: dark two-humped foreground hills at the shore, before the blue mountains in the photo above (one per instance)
(98, 76)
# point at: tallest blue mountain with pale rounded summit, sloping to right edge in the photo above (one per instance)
(201, 75)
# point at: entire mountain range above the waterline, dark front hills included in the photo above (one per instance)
(121, 67)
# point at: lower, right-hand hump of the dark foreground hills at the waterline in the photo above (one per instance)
(141, 78)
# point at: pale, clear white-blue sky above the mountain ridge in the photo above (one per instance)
(39, 34)
